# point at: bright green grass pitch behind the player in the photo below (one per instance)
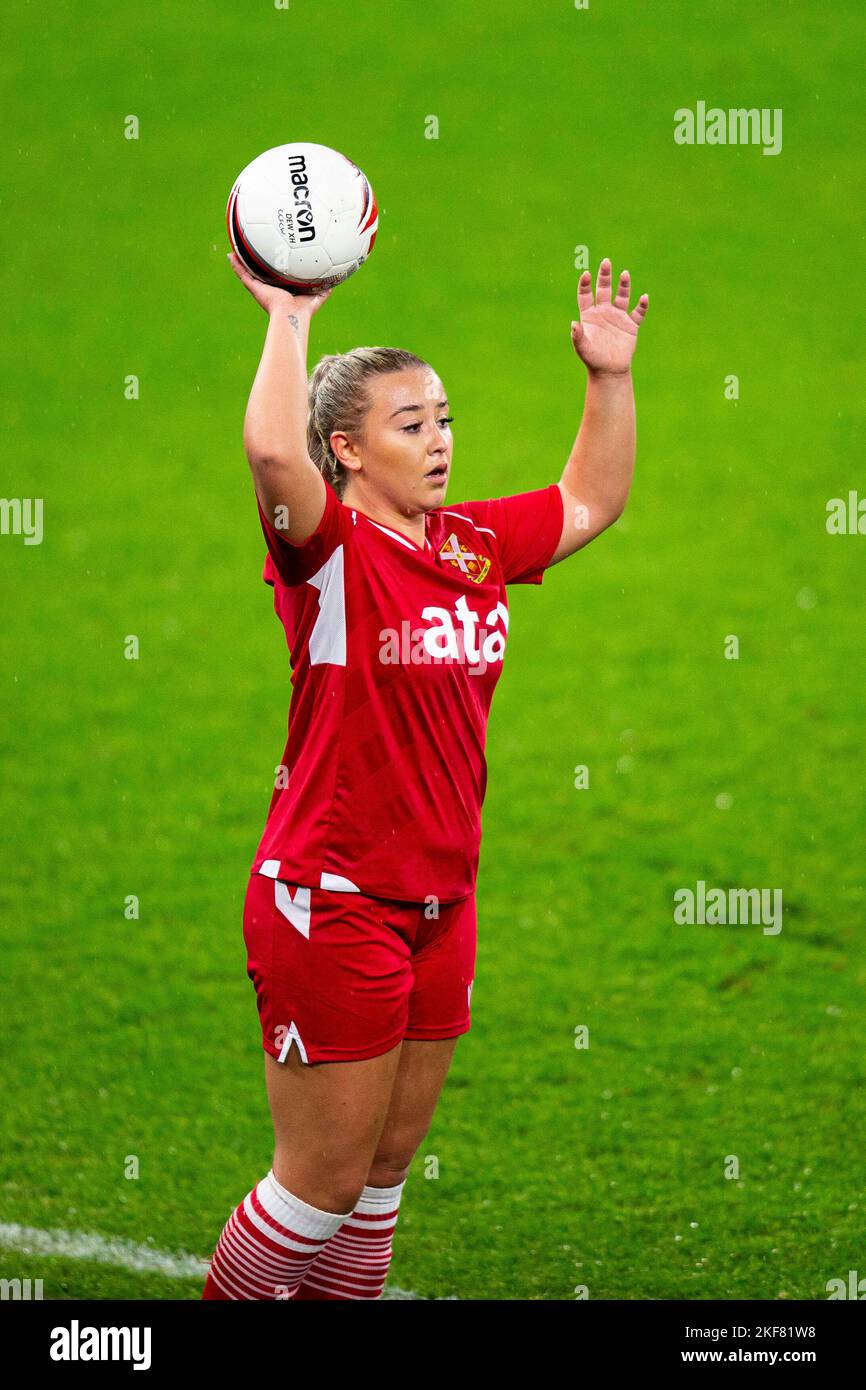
(558, 1167)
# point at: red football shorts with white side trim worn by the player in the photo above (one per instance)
(344, 976)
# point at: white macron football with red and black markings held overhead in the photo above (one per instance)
(302, 218)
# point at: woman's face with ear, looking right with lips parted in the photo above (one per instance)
(405, 452)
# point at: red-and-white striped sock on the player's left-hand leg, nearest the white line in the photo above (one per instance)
(268, 1245)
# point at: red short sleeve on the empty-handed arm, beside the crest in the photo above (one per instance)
(528, 529)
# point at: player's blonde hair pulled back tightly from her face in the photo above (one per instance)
(338, 401)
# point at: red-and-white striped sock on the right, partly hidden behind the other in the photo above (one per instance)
(355, 1261)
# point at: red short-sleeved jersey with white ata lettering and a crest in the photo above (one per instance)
(395, 654)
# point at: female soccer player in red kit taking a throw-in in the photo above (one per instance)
(359, 918)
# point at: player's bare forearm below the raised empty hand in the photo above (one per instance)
(601, 464)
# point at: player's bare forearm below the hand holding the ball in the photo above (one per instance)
(276, 422)
